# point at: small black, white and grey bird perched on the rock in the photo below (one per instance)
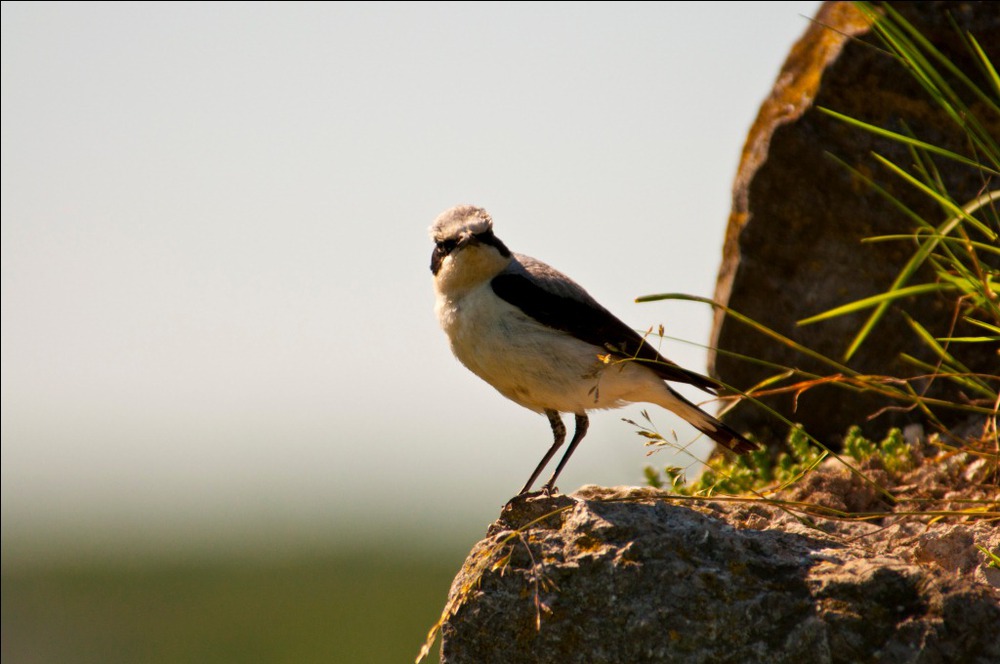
(545, 343)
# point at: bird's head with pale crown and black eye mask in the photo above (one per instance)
(466, 252)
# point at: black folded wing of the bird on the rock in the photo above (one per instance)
(556, 301)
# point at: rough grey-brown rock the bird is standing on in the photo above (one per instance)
(631, 575)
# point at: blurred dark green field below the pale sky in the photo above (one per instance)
(358, 607)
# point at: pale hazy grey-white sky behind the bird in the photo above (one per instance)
(217, 310)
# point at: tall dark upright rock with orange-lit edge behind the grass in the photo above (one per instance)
(793, 245)
